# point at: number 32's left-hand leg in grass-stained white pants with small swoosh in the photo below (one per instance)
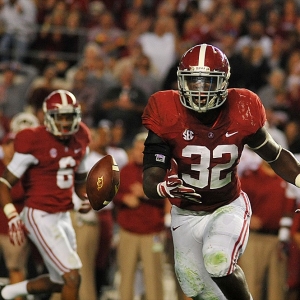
(187, 230)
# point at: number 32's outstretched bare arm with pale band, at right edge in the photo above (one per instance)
(282, 161)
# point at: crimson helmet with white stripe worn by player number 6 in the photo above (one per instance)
(62, 113)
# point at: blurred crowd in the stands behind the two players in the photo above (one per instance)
(113, 54)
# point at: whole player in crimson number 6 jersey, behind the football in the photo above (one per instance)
(51, 160)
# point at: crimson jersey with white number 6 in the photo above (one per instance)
(49, 181)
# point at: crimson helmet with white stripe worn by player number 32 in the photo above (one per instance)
(202, 76)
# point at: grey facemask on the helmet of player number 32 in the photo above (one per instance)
(202, 91)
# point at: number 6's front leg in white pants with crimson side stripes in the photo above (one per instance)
(54, 237)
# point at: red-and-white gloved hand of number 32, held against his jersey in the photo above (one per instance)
(173, 186)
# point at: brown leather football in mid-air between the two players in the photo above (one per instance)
(103, 182)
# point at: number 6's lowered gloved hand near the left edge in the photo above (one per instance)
(16, 230)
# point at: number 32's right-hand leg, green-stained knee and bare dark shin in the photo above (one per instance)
(225, 239)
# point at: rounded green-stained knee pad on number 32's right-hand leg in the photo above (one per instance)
(217, 263)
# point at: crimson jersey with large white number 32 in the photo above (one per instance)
(207, 157)
